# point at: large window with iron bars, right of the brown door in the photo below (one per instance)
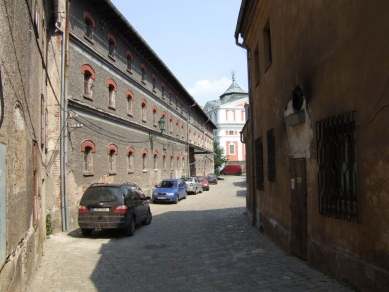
(335, 141)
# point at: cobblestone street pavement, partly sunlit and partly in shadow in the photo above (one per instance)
(204, 243)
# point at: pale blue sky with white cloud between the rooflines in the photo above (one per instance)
(195, 39)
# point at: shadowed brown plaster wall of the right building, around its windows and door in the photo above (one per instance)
(337, 53)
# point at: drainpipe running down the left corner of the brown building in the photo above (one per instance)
(250, 120)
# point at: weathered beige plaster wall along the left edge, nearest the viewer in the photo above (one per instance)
(22, 52)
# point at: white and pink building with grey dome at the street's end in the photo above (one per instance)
(228, 114)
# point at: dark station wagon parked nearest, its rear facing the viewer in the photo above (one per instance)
(113, 206)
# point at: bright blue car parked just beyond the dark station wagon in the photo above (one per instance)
(170, 190)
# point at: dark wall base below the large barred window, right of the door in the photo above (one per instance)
(353, 272)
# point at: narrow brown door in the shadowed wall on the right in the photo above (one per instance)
(298, 207)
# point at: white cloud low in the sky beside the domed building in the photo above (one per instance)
(205, 90)
